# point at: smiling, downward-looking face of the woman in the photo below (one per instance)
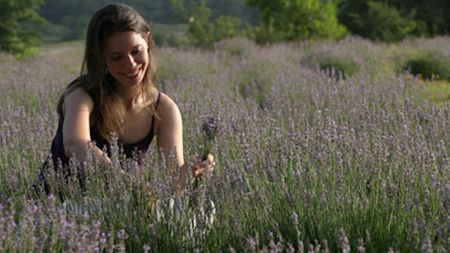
(126, 56)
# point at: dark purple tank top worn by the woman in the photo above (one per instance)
(135, 150)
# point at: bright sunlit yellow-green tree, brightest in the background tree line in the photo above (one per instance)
(293, 20)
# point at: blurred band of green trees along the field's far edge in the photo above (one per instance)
(22, 22)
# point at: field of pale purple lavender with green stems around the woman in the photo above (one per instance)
(307, 160)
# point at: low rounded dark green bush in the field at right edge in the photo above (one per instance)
(429, 65)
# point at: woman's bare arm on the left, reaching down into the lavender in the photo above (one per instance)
(78, 106)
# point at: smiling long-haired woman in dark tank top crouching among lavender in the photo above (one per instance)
(115, 97)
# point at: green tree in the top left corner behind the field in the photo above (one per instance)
(17, 20)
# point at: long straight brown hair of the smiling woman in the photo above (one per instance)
(107, 114)
